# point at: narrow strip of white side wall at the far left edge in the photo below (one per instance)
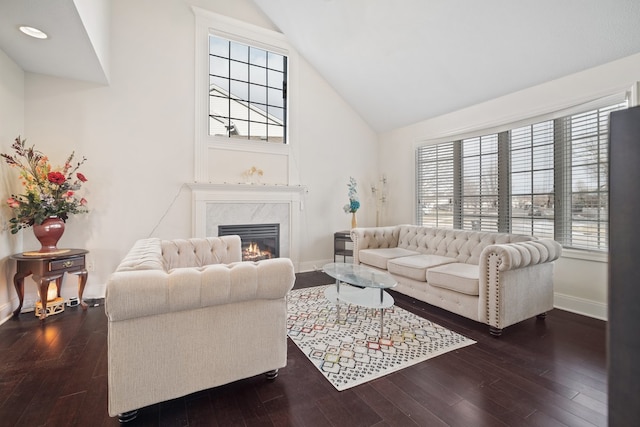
(11, 125)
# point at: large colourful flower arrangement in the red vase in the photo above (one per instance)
(48, 191)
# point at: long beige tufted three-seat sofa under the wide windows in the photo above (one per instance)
(494, 278)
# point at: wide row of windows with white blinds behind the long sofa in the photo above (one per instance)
(548, 179)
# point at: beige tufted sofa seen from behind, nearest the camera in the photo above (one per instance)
(187, 315)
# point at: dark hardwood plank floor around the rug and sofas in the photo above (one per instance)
(539, 373)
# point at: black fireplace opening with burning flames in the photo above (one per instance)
(259, 241)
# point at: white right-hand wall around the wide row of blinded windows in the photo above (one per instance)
(580, 284)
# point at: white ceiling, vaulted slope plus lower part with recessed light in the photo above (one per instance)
(395, 62)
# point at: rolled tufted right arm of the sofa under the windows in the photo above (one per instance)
(509, 256)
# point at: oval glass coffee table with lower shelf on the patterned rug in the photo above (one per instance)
(360, 285)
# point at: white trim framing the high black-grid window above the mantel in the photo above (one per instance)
(208, 22)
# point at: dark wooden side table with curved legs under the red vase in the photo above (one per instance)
(46, 267)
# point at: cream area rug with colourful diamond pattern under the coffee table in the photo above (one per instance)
(350, 351)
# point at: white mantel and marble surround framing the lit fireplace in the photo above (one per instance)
(234, 204)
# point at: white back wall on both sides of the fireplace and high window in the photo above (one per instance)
(138, 136)
